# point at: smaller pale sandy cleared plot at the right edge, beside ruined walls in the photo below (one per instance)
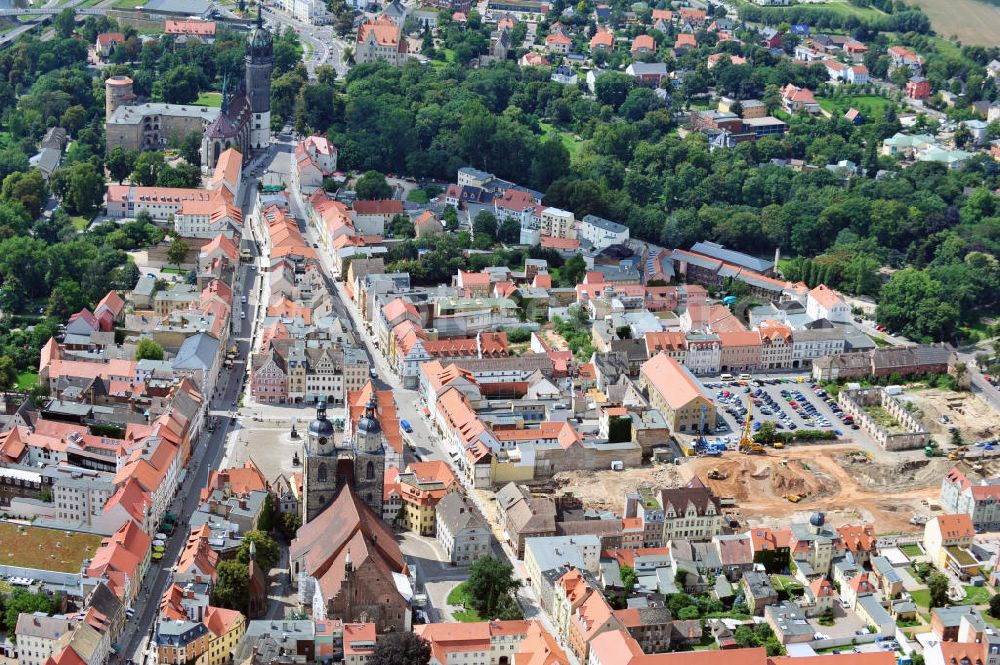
(974, 419)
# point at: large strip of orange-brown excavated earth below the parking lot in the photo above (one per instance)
(837, 479)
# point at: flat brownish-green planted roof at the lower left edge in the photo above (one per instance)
(45, 549)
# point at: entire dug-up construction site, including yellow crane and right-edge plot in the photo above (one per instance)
(849, 481)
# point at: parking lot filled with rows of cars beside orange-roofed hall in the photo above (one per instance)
(791, 403)
